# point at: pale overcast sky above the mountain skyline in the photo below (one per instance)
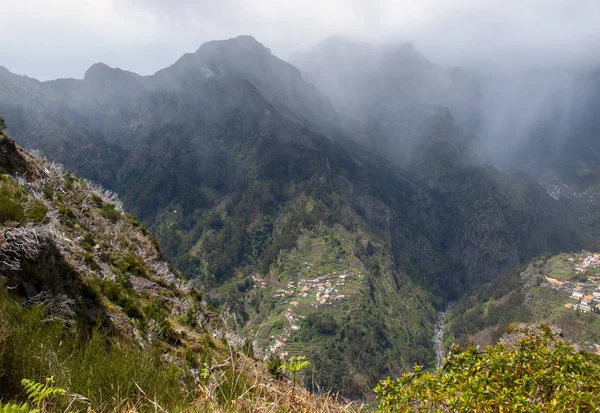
(48, 39)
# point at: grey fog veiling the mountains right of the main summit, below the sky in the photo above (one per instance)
(517, 114)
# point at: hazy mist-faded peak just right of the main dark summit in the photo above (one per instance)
(391, 91)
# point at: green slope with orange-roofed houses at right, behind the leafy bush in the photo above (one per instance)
(560, 290)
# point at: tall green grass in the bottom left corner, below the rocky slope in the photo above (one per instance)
(103, 368)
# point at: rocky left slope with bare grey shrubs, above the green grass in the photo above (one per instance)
(68, 245)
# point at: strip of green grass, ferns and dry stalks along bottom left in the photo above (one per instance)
(101, 372)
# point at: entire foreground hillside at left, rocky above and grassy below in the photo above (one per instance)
(87, 299)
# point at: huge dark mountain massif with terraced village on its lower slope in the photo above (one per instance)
(320, 241)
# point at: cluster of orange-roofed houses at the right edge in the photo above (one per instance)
(583, 286)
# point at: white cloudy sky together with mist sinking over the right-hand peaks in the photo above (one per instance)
(511, 73)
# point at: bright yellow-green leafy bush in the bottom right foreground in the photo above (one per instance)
(538, 374)
